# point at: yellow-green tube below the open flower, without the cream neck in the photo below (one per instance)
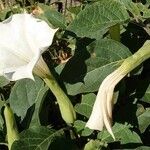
(65, 105)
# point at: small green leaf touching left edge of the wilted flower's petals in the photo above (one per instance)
(86, 105)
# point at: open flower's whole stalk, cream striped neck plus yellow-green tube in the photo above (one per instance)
(66, 108)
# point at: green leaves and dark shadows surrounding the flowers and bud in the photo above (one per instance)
(83, 53)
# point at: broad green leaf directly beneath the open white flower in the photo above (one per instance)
(25, 94)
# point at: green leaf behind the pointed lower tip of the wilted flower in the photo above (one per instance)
(122, 134)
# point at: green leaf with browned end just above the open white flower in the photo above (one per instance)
(52, 16)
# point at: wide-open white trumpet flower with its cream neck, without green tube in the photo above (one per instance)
(22, 40)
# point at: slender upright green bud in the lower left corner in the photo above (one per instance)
(12, 132)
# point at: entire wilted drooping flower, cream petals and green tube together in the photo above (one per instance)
(101, 115)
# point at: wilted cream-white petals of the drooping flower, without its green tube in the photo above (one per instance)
(101, 115)
